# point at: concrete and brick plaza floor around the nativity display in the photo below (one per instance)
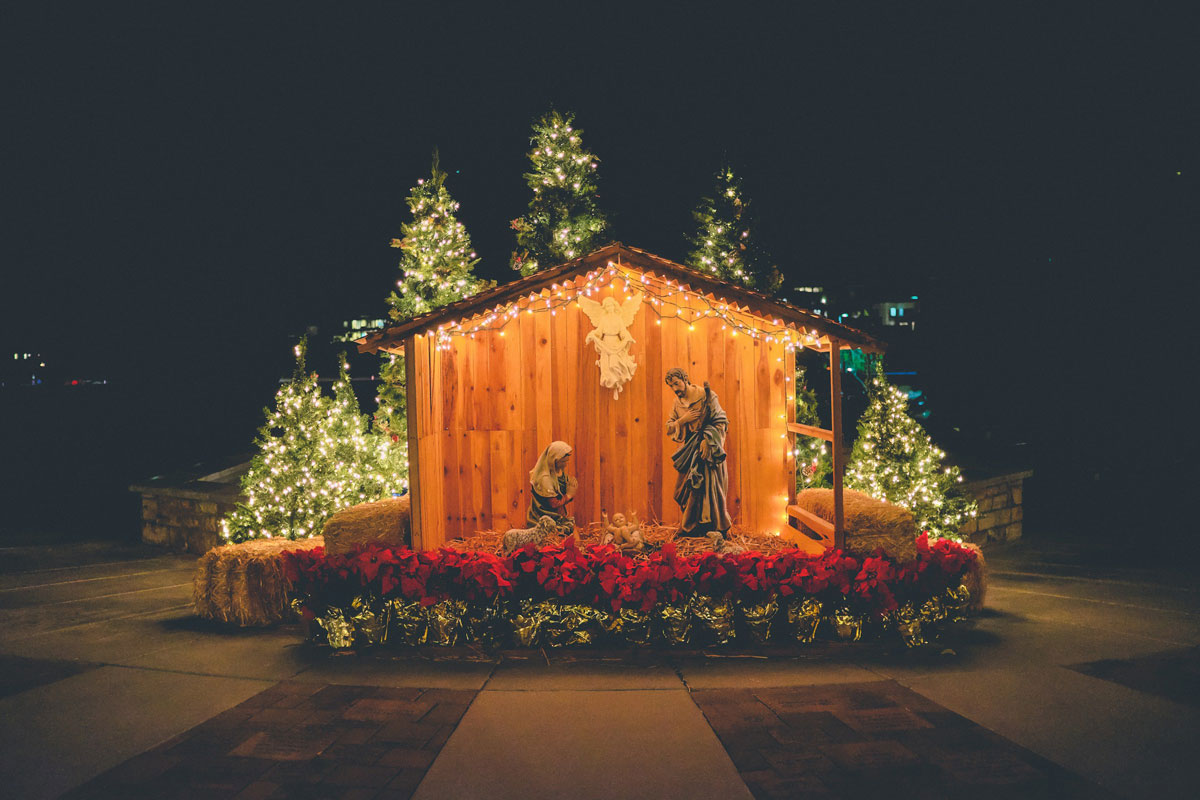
(1079, 681)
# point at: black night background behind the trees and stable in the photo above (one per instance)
(188, 194)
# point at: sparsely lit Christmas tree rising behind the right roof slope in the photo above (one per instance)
(725, 244)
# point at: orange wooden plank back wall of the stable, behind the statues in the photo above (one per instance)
(489, 406)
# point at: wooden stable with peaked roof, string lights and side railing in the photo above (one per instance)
(495, 378)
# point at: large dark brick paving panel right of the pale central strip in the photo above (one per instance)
(873, 741)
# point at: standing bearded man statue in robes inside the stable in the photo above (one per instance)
(699, 424)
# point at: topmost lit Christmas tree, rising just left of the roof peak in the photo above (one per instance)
(563, 221)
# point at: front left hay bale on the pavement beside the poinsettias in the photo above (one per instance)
(244, 584)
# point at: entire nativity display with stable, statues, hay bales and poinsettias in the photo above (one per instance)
(605, 453)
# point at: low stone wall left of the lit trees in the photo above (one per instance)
(184, 513)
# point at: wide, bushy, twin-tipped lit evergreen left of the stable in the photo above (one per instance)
(315, 458)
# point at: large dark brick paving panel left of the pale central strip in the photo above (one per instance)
(298, 741)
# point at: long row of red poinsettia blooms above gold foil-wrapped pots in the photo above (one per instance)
(605, 578)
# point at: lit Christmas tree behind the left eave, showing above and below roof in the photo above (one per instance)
(437, 268)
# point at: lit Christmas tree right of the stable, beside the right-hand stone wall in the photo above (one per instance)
(895, 460)
